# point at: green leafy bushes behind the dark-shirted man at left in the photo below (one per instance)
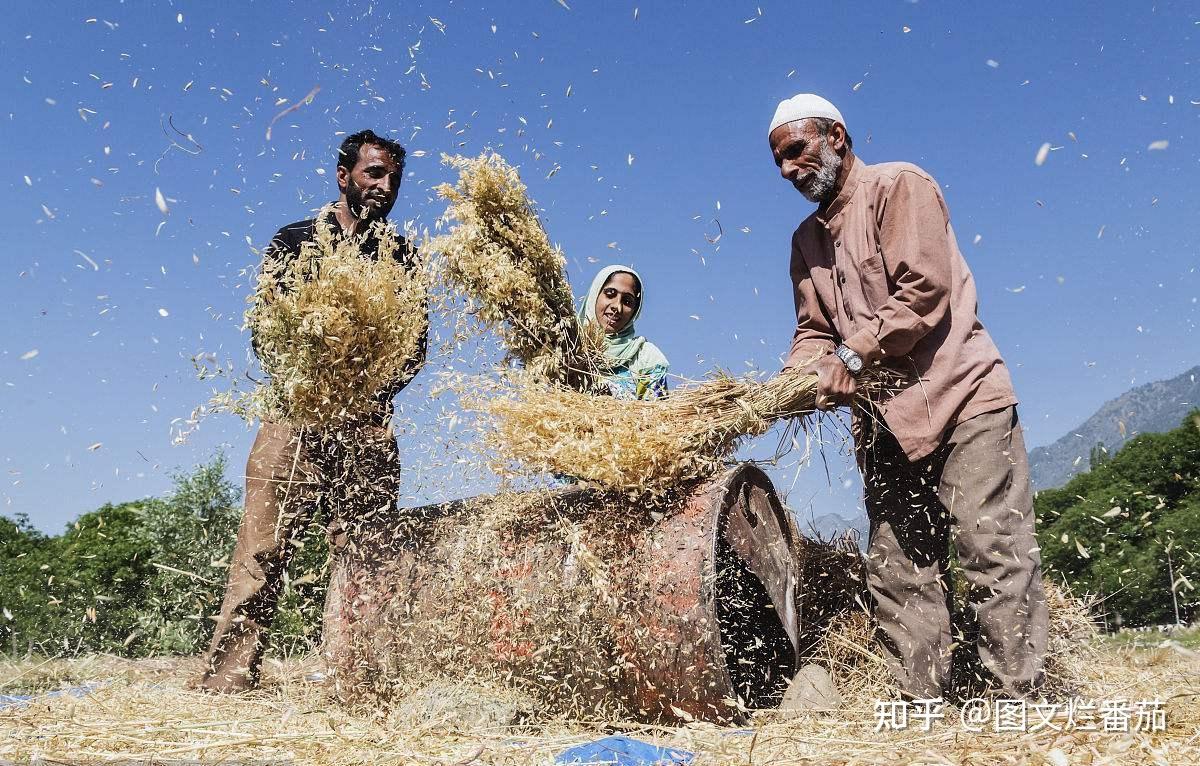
(145, 578)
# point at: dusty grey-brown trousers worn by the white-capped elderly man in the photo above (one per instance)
(976, 487)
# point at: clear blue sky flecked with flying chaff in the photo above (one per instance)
(656, 115)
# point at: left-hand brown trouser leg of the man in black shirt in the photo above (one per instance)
(281, 498)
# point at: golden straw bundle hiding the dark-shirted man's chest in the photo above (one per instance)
(334, 330)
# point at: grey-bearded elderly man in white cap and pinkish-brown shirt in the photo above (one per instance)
(879, 282)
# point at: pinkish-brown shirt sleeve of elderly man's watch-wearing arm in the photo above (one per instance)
(915, 242)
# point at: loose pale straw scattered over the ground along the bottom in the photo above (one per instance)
(143, 716)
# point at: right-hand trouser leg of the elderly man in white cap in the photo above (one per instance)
(986, 486)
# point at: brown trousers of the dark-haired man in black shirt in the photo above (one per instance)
(291, 475)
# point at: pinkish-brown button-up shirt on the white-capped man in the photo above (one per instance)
(880, 271)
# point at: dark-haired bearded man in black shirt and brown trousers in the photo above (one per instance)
(295, 471)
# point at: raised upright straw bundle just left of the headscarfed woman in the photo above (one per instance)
(499, 255)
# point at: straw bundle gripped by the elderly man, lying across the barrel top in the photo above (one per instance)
(641, 447)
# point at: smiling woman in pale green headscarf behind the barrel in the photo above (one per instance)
(637, 367)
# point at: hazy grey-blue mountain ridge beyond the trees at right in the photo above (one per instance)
(1150, 409)
